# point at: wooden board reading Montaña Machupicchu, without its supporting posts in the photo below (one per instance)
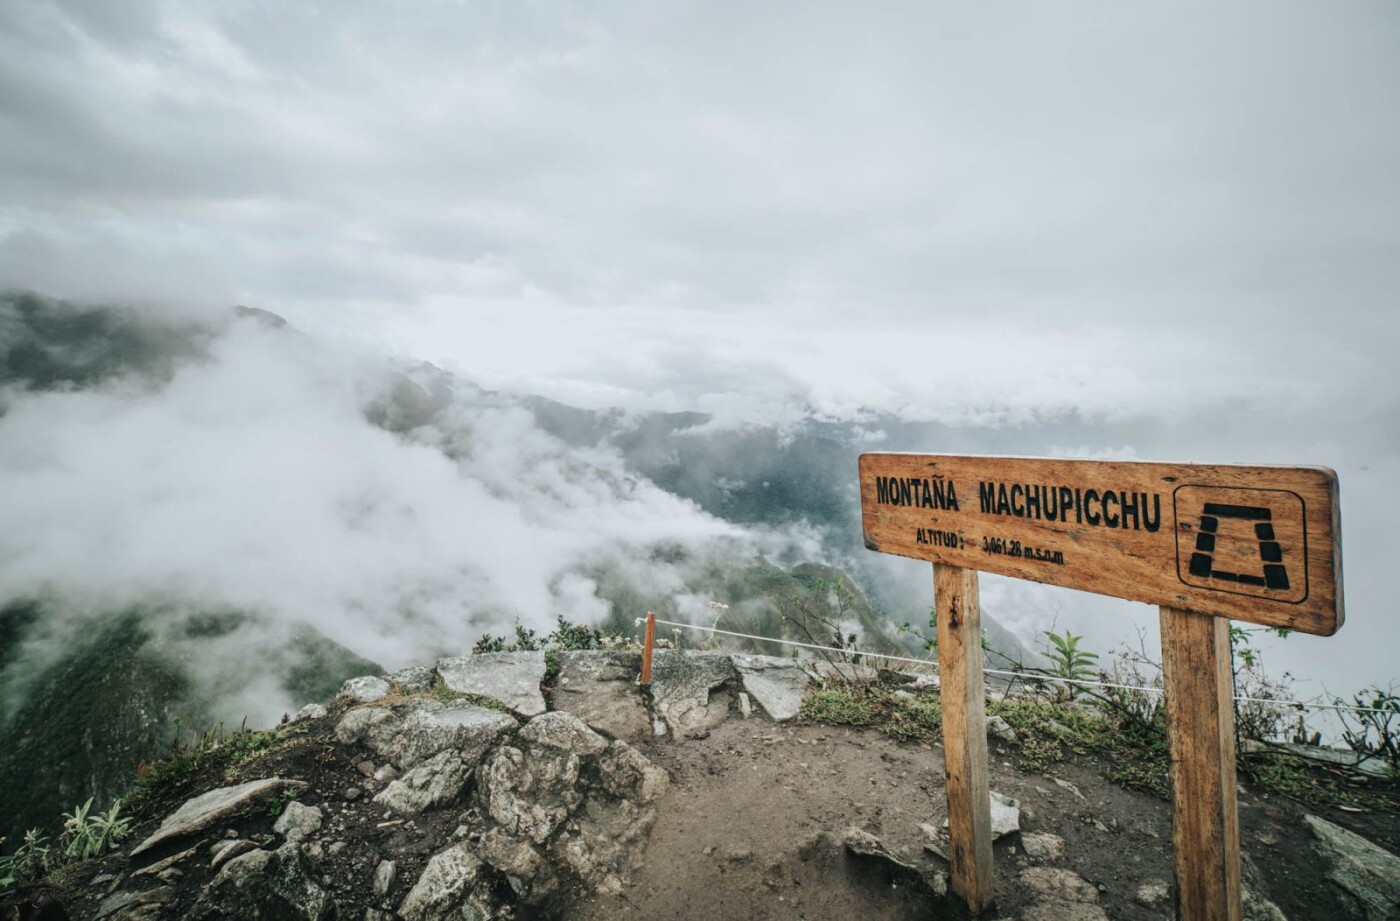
(1252, 544)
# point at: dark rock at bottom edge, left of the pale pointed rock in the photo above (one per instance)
(268, 885)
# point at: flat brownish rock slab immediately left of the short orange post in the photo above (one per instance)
(600, 688)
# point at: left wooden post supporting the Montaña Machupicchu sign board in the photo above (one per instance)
(965, 734)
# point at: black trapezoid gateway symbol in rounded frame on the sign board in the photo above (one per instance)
(1242, 541)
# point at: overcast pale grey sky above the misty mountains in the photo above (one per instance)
(1178, 225)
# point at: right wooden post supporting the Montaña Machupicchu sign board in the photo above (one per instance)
(1200, 729)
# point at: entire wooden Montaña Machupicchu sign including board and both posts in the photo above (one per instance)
(1205, 542)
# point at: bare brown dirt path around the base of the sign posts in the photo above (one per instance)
(741, 835)
